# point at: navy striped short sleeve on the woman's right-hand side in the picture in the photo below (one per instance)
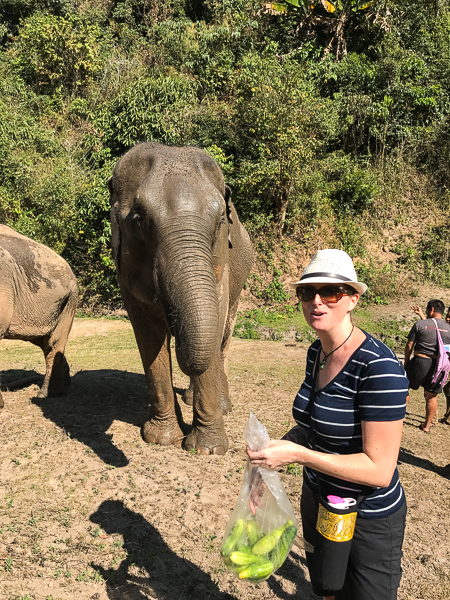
(382, 390)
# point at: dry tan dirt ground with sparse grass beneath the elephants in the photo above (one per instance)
(89, 511)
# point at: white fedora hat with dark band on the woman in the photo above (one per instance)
(331, 266)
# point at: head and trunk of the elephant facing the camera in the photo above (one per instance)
(171, 219)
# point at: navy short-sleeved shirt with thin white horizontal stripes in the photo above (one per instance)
(371, 387)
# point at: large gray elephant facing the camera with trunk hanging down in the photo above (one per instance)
(182, 258)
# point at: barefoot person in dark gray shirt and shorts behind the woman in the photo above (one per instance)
(420, 369)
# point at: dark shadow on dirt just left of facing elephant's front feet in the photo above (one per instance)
(90, 405)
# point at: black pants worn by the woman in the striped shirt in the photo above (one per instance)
(374, 568)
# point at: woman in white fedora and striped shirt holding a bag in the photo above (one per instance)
(352, 403)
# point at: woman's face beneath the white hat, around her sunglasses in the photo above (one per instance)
(326, 316)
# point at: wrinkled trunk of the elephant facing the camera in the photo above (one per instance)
(190, 290)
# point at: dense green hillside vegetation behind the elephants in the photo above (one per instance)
(330, 121)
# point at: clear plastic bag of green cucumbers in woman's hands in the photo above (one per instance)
(256, 543)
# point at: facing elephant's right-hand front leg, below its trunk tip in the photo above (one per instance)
(208, 433)
